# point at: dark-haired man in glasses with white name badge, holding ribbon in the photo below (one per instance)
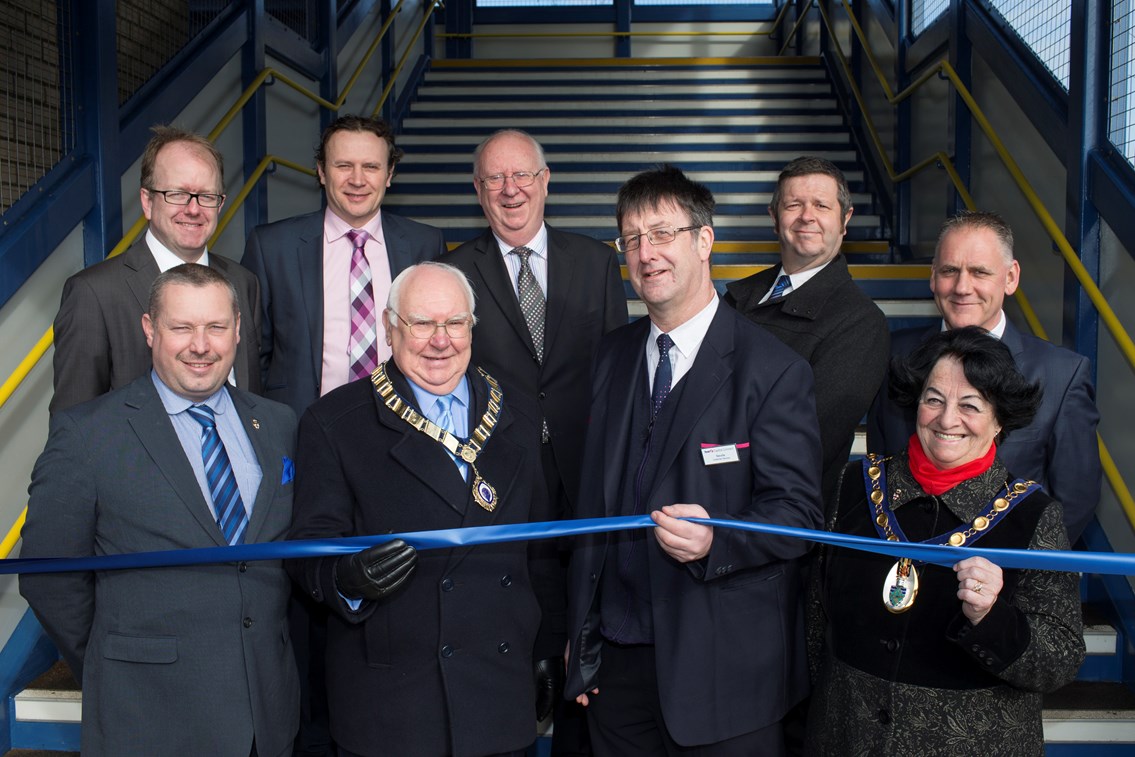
(690, 636)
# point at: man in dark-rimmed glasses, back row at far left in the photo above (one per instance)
(99, 341)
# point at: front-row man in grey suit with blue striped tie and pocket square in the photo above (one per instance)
(174, 661)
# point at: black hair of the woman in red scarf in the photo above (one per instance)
(988, 365)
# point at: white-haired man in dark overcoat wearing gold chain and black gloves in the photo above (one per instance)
(428, 653)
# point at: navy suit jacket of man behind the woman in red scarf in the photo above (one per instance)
(1058, 450)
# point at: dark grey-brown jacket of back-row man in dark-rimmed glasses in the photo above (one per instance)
(99, 340)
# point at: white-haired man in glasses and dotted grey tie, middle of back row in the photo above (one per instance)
(547, 299)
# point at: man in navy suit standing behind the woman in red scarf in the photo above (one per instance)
(973, 272)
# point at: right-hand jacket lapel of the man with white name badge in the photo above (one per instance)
(710, 372)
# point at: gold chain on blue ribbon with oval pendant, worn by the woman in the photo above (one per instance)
(901, 588)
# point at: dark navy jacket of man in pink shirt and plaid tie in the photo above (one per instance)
(288, 257)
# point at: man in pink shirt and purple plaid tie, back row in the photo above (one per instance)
(305, 265)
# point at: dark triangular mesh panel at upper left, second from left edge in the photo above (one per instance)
(152, 32)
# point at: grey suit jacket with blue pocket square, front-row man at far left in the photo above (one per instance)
(179, 661)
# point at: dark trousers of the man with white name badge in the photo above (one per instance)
(626, 719)
